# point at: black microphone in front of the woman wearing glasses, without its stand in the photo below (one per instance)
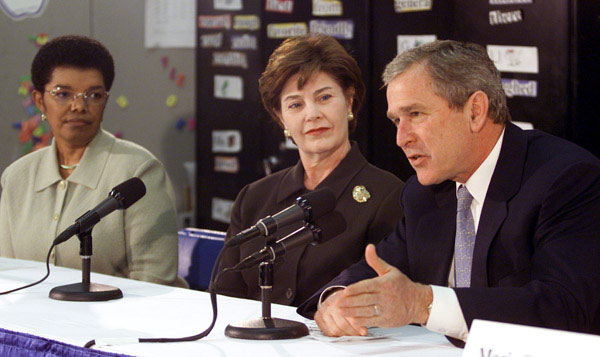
(120, 197)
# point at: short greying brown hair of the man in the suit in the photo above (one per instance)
(457, 70)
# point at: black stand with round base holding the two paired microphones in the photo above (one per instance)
(266, 327)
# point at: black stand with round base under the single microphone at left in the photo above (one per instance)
(86, 290)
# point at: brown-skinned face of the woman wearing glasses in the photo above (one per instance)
(73, 121)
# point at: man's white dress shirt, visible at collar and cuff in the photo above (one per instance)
(446, 317)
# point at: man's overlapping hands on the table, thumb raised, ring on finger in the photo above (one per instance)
(389, 300)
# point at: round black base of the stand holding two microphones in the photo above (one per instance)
(267, 329)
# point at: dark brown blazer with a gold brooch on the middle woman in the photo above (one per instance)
(304, 270)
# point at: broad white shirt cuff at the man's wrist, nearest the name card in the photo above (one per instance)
(446, 317)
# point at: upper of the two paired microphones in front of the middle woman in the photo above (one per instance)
(307, 207)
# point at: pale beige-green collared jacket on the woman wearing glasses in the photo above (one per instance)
(37, 204)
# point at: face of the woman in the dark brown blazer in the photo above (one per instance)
(317, 114)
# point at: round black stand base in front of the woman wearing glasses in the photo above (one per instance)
(78, 292)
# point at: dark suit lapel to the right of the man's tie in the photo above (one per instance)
(504, 185)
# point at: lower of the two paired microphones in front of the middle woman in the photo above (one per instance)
(331, 226)
